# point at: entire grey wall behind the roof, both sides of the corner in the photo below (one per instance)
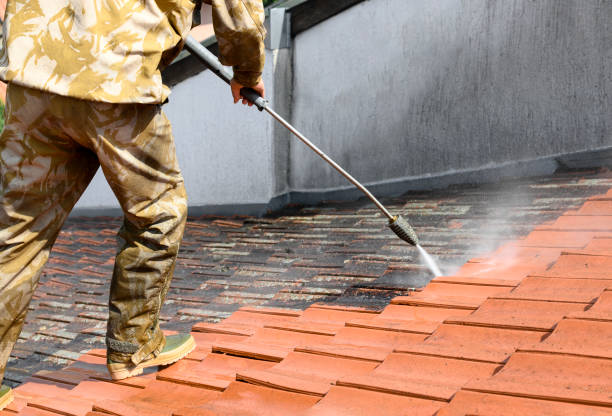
(402, 92)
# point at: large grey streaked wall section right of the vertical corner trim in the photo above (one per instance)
(404, 88)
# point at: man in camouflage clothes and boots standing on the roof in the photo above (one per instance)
(85, 91)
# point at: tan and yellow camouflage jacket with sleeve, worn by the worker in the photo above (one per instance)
(113, 50)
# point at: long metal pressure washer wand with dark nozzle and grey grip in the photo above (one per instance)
(398, 224)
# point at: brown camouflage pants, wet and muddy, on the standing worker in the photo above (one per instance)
(50, 149)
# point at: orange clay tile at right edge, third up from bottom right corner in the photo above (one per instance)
(578, 337)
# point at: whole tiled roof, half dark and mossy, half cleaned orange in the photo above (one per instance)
(330, 323)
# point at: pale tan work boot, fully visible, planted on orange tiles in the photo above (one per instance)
(177, 346)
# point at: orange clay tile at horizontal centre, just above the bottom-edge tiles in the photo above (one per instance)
(306, 373)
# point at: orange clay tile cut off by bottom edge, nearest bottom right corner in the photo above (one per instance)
(481, 404)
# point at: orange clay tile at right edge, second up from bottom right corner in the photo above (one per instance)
(552, 377)
